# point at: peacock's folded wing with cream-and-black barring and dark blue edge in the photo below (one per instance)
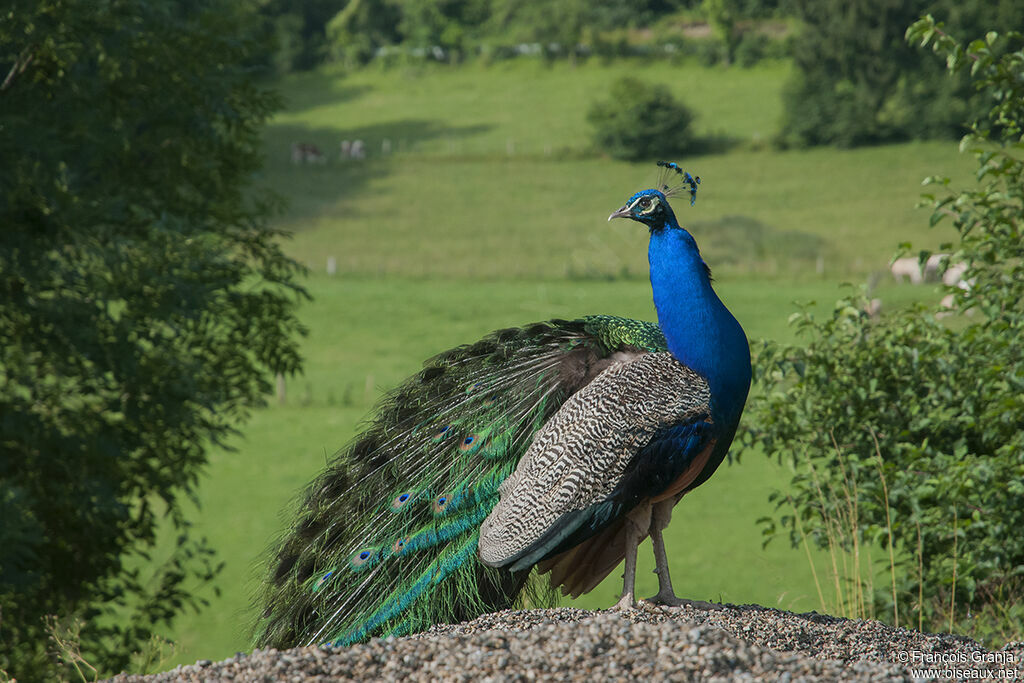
(628, 436)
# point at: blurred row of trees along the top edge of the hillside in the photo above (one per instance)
(310, 32)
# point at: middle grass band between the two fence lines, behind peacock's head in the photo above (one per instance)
(532, 219)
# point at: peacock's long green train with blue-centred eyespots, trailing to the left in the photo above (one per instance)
(388, 538)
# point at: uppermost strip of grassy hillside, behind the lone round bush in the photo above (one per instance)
(477, 111)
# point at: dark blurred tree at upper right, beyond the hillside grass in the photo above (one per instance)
(858, 82)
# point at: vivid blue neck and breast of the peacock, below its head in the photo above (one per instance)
(701, 331)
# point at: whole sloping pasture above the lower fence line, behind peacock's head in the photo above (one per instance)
(451, 196)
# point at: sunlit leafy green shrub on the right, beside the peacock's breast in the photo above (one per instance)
(920, 421)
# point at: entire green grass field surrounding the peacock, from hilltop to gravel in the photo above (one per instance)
(452, 236)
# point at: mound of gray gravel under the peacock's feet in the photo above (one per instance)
(732, 644)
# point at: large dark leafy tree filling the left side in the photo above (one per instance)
(145, 301)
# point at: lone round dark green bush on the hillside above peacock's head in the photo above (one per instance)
(641, 121)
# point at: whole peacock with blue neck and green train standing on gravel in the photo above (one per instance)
(557, 447)
